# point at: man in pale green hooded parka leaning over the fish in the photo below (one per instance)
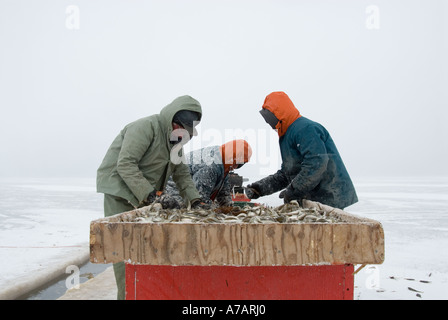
(141, 159)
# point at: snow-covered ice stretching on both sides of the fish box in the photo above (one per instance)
(45, 229)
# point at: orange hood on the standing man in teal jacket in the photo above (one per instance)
(283, 108)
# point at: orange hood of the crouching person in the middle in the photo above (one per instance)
(235, 152)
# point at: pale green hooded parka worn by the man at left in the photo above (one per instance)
(138, 161)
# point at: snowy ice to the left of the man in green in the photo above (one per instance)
(45, 228)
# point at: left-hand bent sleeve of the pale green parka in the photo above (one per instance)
(136, 141)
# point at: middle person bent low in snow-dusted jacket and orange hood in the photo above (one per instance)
(209, 169)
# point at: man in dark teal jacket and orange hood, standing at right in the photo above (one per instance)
(311, 165)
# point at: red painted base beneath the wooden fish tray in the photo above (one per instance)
(326, 282)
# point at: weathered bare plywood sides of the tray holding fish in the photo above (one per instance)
(354, 240)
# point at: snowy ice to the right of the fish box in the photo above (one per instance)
(414, 215)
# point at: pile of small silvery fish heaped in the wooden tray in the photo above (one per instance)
(287, 213)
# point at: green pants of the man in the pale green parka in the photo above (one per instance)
(114, 205)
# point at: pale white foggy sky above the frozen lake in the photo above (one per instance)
(66, 92)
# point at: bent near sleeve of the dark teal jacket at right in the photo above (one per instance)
(311, 146)
